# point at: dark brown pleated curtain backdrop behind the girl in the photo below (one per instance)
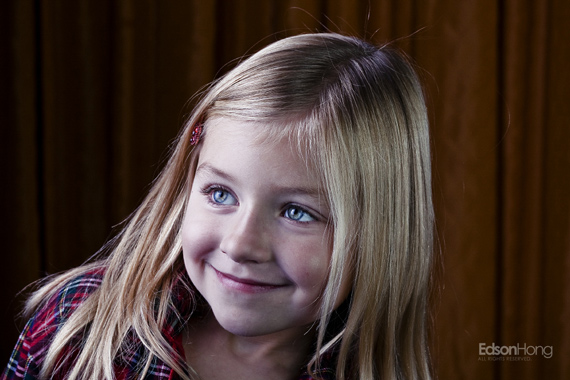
(93, 92)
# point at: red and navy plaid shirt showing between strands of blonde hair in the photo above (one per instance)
(30, 351)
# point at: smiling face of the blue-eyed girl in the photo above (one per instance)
(255, 236)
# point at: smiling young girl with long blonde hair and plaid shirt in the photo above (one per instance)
(288, 237)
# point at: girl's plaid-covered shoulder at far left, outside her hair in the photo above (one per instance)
(60, 303)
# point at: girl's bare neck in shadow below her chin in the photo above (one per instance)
(216, 353)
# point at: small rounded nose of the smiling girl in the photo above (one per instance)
(247, 238)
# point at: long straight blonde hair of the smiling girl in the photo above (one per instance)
(357, 112)
